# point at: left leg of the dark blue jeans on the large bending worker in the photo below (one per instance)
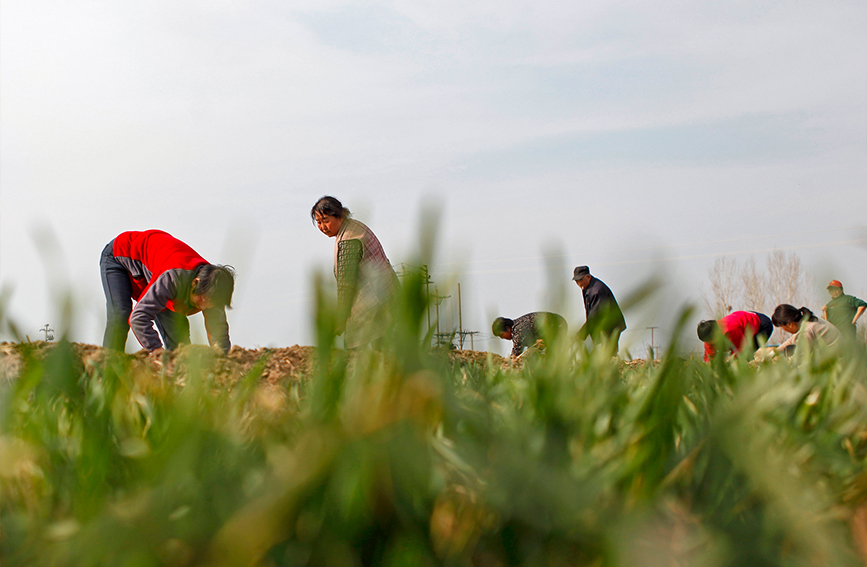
(118, 300)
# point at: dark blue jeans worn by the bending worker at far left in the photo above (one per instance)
(173, 328)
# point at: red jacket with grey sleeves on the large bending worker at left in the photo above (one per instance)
(161, 269)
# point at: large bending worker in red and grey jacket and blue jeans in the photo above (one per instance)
(168, 281)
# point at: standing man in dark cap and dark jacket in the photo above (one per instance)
(604, 317)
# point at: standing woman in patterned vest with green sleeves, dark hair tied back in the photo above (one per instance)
(366, 282)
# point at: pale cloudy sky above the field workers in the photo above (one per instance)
(644, 139)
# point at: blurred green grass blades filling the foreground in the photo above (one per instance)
(406, 456)
